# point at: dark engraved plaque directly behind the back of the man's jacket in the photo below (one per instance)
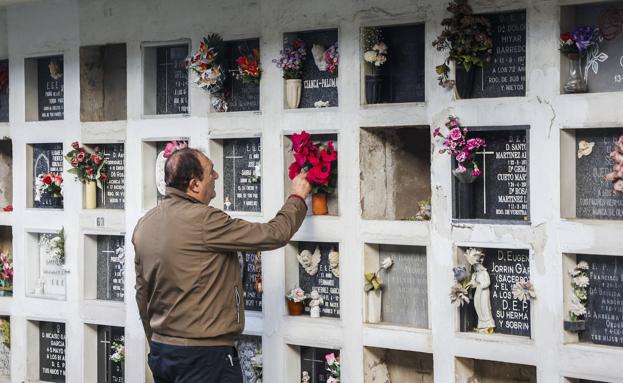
(110, 267)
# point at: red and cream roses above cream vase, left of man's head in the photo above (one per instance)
(87, 165)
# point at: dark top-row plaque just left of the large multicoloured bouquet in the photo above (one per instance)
(171, 80)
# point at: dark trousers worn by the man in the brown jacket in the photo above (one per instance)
(191, 364)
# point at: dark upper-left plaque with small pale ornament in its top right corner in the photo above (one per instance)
(50, 83)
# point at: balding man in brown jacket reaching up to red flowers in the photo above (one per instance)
(188, 283)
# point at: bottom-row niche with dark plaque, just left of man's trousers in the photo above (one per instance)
(101, 343)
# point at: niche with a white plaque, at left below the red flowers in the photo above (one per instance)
(46, 272)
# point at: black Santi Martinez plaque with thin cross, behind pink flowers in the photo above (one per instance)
(502, 191)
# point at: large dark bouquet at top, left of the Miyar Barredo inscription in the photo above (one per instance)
(466, 37)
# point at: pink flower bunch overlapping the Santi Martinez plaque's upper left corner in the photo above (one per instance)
(460, 147)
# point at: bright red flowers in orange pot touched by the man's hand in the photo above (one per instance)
(319, 160)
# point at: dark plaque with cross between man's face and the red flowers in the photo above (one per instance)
(242, 175)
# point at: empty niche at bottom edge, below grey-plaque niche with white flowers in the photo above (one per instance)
(385, 365)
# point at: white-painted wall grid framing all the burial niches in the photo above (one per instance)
(61, 26)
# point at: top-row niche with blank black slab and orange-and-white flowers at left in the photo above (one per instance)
(403, 73)
